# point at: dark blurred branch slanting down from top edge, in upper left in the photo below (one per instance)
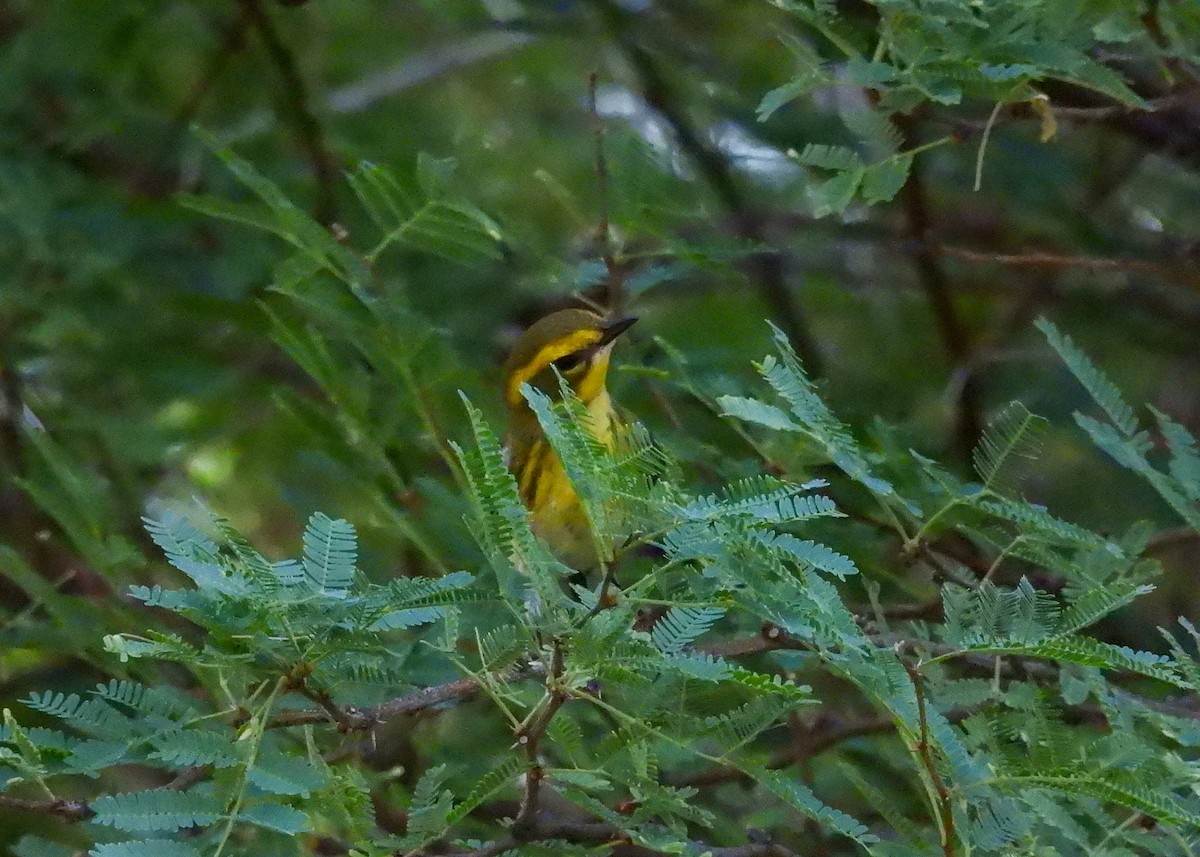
(313, 137)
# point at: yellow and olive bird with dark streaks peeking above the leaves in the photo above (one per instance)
(578, 344)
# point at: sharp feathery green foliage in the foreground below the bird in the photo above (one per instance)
(289, 639)
